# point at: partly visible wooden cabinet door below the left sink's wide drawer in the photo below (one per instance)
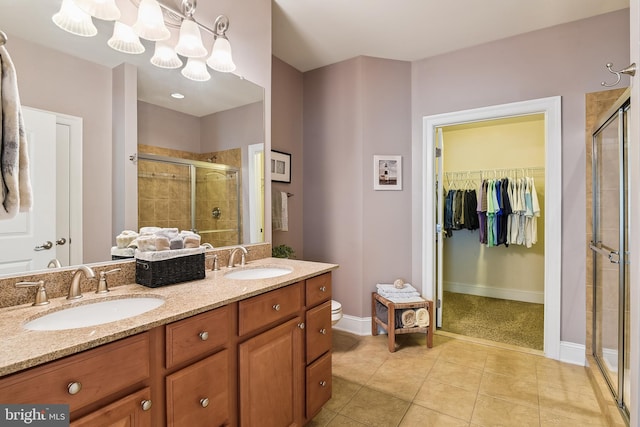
(131, 411)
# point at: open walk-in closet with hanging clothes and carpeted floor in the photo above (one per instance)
(491, 208)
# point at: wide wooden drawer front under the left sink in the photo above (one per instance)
(98, 373)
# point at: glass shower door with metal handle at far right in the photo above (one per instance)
(609, 251)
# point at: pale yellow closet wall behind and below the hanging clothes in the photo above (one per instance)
(513, 272)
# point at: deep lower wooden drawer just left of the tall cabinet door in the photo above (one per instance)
(199, 394)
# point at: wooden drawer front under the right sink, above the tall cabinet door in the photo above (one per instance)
(264, 309)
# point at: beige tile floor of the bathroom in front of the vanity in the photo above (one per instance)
(455, 383)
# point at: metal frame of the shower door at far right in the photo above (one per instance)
(620, 256)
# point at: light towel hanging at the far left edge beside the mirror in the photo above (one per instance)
(15, 185)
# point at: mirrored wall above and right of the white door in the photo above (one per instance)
(60, 83)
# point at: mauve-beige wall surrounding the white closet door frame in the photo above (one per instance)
(566, 60)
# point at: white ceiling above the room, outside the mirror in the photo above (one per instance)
(308, 34)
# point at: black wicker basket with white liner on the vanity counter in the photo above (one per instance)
(163, 272)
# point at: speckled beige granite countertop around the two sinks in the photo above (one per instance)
(24, 348)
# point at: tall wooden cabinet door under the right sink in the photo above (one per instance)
(271, 377)
